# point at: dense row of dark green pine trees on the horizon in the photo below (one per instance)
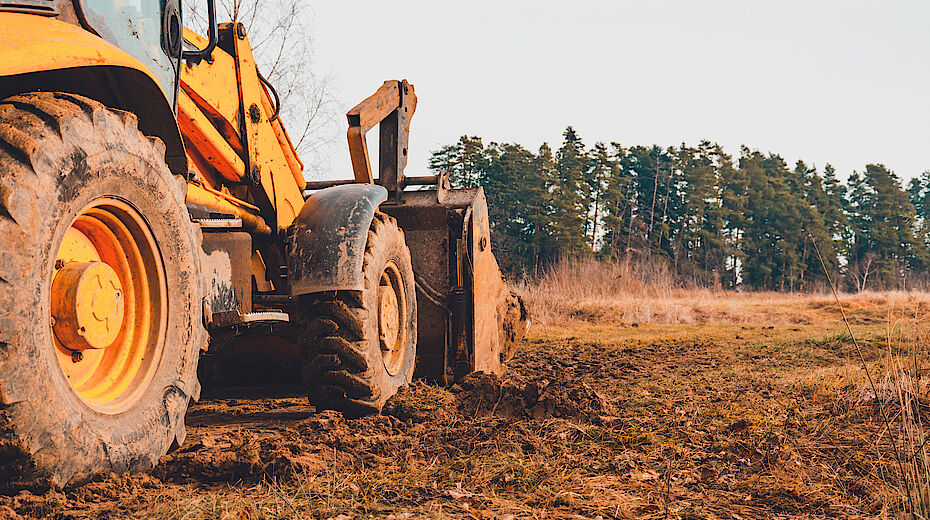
(753, 221)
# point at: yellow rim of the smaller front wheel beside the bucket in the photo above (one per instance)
(392, 318)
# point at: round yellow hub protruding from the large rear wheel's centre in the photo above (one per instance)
(87, 304)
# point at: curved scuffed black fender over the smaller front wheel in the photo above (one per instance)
(326, 247)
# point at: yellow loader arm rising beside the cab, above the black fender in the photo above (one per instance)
(225, 115)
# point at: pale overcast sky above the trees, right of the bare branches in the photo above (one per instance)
(845, 82)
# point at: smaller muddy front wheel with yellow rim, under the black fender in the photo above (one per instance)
(357, 352)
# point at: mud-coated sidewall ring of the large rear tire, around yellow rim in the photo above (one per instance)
(68, 439)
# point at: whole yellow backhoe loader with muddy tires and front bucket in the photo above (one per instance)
(151, 199)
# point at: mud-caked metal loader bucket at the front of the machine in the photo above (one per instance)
(468, 320)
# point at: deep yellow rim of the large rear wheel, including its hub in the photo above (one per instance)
(108, 305)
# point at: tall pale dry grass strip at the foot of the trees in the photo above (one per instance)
(646, 292)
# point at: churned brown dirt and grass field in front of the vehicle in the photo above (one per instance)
(683, 421)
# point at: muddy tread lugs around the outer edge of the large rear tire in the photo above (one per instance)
(29, 125)
